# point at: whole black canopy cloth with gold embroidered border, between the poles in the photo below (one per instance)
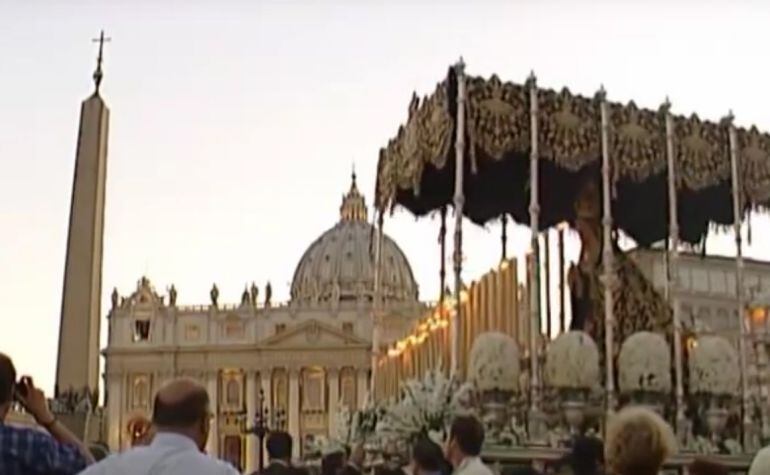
(416, 168)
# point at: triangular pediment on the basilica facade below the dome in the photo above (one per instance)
(312, 334)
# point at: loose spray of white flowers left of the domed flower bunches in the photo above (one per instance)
(426, 408)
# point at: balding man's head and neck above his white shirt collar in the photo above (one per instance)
(182, 406)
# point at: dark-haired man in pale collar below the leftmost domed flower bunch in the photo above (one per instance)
(463, 448)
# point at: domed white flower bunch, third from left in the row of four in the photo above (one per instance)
(644, 364)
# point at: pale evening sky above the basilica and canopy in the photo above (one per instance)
(235, 124)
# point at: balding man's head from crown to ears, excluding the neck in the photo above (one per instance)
(180, 404)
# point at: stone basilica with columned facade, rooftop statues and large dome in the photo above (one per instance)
(299, 360)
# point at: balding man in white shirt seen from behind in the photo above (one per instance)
(181, 417)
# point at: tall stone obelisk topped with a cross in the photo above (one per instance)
(78, 360)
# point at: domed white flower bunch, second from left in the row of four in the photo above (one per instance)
(572, 362)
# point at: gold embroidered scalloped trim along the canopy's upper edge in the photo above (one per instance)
(498, 122)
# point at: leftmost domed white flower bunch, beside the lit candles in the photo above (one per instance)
(494, 362)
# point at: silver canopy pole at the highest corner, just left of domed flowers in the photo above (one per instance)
(459, 201)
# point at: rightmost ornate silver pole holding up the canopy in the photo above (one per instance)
(737, 218)
